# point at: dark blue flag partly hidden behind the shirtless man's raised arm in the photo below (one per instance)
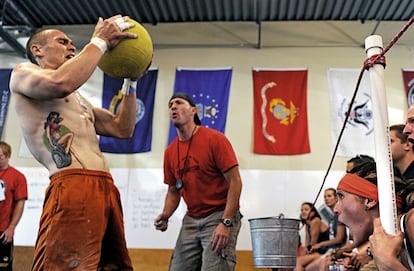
(111, 97)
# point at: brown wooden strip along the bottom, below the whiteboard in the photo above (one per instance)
(142, 259)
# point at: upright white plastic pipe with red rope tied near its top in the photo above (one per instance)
(383, 157)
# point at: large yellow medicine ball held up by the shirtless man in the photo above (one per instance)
(131, 57)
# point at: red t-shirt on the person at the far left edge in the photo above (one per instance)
(13, 183)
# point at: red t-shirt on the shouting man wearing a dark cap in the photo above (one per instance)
(210, 156)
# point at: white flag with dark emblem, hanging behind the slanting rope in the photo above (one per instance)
(358, 136)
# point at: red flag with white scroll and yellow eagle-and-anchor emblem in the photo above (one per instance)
(280, 114)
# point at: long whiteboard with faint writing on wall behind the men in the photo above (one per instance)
(265, 193)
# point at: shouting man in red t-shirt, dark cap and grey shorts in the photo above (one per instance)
(200, 165)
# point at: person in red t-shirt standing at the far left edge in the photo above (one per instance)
(13, 194)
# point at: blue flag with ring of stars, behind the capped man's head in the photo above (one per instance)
(210, 89)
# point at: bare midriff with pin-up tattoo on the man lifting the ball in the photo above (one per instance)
(60, 133)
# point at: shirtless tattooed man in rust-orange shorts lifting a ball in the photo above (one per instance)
(81, 226)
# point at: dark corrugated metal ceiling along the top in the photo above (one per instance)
(23, 16)
